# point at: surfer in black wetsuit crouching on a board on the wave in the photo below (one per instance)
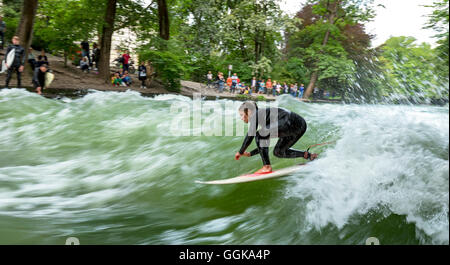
(280, 123)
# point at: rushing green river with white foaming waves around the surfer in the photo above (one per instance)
(108, 168)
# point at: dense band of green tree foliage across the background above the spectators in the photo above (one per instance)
(324, 45)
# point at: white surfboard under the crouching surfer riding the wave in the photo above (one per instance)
(254, 177)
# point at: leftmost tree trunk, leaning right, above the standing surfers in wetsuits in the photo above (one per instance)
(25, 28)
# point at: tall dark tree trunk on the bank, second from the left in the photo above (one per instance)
(105, 48)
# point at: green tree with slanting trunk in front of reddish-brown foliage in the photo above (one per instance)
(325, 54)
